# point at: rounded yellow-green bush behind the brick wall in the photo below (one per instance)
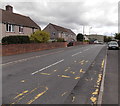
(40, 37)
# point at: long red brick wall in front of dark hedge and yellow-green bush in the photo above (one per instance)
(24, 48)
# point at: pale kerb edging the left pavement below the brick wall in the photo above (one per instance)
(29, 58)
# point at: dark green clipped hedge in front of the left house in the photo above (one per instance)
(16, 39)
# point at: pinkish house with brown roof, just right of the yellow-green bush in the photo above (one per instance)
(60, 32)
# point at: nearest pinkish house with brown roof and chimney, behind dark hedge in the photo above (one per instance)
(16, 24)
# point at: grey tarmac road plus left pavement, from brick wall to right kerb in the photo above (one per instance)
(59, 76)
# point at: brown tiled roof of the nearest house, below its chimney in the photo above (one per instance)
(17, 19)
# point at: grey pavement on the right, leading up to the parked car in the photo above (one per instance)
(110, 95)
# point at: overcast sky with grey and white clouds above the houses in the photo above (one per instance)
(101, 15)
